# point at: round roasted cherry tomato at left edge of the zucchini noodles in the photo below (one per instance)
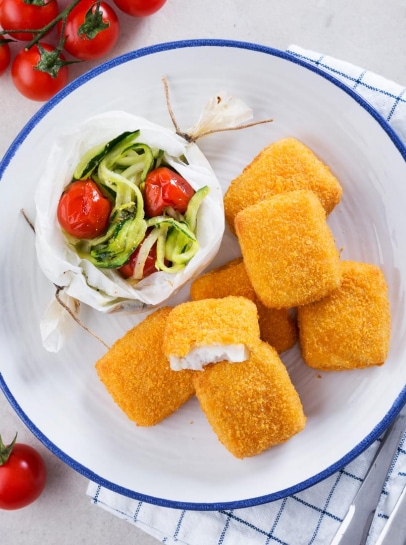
(83, 211)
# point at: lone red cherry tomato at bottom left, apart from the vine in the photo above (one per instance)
(22, 477)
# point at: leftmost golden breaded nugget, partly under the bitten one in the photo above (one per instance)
(137, 374)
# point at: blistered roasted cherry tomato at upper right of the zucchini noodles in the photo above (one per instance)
(164, 187)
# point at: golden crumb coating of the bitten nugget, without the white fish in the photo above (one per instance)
(231, 320)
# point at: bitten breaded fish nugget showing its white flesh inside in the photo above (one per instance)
(210, 330)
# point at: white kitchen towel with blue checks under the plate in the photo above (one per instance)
(313, 515)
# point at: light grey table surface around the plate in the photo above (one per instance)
(369, 34)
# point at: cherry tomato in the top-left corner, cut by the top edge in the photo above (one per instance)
(17, 15)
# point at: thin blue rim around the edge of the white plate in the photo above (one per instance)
(42, 112)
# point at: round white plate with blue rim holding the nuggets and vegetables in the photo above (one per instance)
(179, 462)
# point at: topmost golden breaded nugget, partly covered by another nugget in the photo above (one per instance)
(285, 165)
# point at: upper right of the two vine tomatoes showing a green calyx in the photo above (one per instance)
(82, 47)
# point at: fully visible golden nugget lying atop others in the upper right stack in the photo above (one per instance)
(288, 249)
